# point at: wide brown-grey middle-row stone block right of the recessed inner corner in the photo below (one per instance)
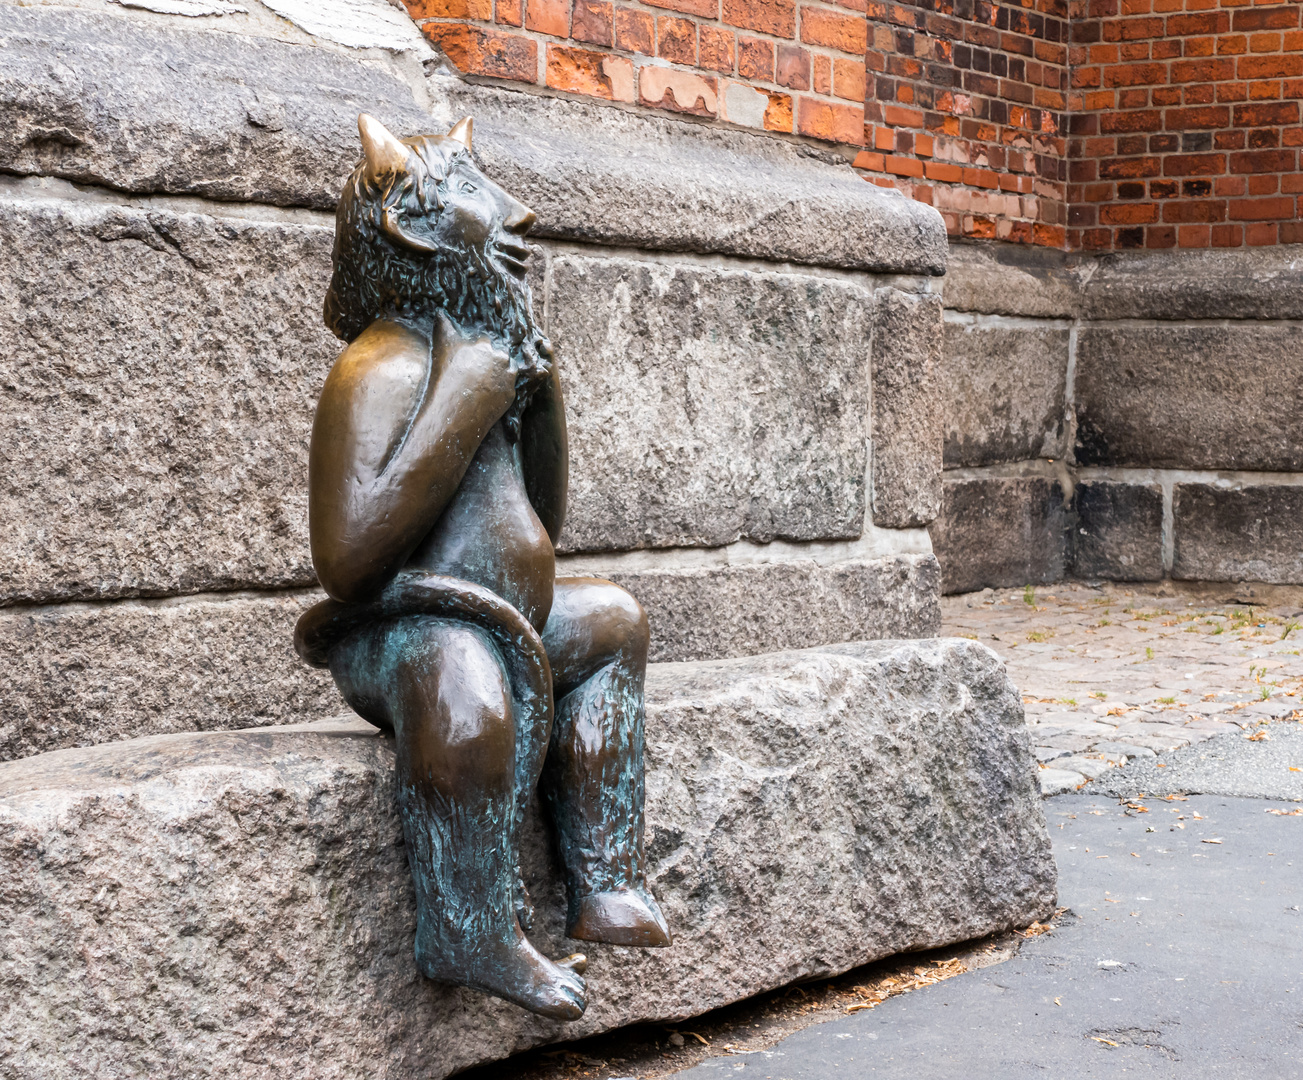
(1198, 397)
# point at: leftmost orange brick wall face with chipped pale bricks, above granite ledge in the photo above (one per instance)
(775, 64)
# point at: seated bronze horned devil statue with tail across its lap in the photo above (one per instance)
(438, 476)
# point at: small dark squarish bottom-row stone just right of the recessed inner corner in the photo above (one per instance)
(1119, 531)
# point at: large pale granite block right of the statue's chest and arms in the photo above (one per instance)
(709, 405)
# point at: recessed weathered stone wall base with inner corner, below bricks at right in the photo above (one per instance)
(1130, 418)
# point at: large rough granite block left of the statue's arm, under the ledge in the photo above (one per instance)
(160, 380)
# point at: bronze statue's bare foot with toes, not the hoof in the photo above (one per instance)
(517, 973)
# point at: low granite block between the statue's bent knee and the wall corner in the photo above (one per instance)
(741, 612)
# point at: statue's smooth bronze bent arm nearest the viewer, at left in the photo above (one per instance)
(397, 429)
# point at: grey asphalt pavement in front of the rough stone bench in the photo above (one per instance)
(1181, 956)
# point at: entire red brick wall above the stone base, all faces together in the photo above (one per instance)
(1081, 124)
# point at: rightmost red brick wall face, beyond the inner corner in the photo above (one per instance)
(1186, 124)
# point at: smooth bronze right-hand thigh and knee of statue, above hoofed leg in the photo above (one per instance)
(592, 623)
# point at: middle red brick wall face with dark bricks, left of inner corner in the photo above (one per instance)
(966, 111)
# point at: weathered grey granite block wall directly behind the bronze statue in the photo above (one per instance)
(743, 329)
